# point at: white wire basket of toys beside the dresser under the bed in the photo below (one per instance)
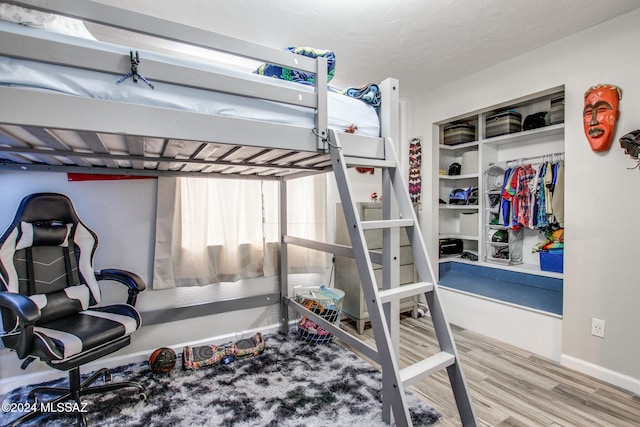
(323, 301)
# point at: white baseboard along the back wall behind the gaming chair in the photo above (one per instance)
(50, 374)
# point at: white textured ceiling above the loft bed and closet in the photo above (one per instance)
(423, 43)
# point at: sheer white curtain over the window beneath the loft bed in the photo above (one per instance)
(224, 230)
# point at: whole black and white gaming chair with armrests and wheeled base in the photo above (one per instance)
(49, 298)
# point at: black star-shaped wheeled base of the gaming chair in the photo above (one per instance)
(74, 392)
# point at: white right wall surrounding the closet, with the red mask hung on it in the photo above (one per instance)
(600, 274)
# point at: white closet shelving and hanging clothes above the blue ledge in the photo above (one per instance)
(474, 154)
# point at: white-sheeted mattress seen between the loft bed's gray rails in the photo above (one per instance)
(343, 110)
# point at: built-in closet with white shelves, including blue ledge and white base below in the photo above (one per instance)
(506, 297)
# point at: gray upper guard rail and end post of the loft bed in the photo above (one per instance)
(163, 29)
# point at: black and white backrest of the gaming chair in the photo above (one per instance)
(47, 254)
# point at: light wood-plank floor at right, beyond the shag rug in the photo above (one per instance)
(509, 386)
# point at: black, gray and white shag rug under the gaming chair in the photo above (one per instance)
(291, 384)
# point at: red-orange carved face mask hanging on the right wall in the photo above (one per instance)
(600, 115)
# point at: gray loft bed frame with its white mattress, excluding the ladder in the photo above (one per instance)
(62, 111)
